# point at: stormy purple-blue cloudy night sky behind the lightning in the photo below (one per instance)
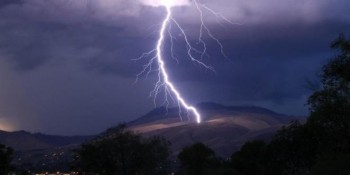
(66, 66)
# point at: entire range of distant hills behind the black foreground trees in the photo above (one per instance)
(224, 128)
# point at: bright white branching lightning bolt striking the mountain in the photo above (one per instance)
(156, 56)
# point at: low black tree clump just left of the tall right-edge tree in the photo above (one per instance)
(291, 151)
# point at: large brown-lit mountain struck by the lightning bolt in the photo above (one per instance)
(224, 128)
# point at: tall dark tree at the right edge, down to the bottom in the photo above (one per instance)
(330, 111)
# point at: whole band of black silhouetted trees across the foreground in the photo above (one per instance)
(320, 146)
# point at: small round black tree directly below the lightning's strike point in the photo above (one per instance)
(196, 158)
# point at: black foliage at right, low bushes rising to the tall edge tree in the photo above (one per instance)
(322, 144)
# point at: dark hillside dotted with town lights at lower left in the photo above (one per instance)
(40, 152)
